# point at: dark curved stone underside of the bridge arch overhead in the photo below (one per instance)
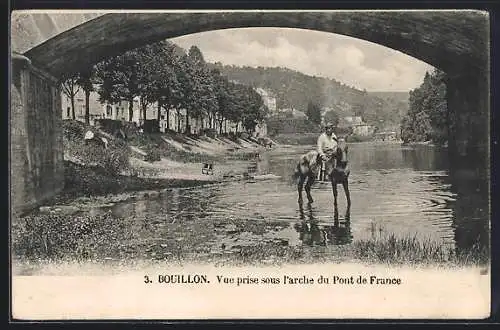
(452, 41)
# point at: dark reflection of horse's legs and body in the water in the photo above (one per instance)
(311, 232)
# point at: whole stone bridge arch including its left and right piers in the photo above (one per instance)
(455, 41)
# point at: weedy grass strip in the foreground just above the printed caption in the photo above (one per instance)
(46, 238)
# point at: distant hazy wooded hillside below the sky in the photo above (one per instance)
(297, 90)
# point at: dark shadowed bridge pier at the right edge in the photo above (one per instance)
(468, 106)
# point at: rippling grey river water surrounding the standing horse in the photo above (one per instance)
(395, 190)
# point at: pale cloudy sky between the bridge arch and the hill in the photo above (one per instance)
(352, 61)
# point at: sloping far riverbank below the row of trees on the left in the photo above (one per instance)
(147, 161)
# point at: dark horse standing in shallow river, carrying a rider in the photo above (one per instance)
(309, 166)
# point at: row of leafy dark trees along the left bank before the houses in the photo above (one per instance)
(175, 80)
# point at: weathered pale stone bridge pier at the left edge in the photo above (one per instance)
(36, 147)
